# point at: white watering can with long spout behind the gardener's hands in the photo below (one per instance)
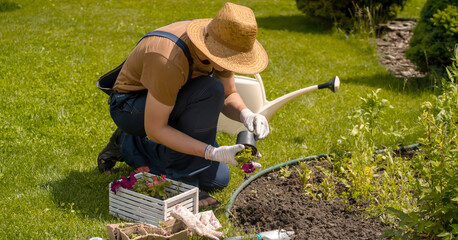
(252, 92)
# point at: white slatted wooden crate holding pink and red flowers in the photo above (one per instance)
(130, 205)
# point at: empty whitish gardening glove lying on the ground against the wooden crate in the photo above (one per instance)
(193, 223)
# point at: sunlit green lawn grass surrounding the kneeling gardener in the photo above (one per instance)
(54, 122)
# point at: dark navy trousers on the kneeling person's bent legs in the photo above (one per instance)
(195, 113)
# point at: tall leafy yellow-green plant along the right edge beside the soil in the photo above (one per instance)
(436, 167)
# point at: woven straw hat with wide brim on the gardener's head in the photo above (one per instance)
(229, 39)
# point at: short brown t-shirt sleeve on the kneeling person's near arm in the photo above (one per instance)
(162, 78)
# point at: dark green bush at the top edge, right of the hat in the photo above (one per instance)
(343, 12)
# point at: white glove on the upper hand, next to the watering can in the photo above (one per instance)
(255, 122)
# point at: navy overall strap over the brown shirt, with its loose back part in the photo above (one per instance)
(107, 81)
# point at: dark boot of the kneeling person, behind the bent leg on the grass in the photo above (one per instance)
(110, 154)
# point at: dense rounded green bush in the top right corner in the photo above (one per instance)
(435, 35)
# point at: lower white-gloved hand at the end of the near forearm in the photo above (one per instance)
(224, 154)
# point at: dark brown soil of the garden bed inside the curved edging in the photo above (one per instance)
(270, 203)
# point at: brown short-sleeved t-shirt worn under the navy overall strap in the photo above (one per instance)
(159, 65)
